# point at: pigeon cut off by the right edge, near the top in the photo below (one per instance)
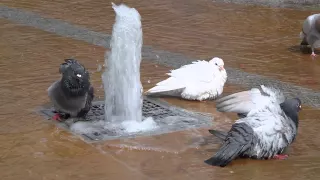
(310, 33)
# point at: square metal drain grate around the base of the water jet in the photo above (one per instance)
(168, 118)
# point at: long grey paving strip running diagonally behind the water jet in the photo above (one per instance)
(166, 58)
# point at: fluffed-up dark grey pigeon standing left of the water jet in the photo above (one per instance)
(72, 95)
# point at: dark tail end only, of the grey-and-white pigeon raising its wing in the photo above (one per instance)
(225, 155)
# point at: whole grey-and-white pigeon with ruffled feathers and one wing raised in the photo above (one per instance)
(268, 125)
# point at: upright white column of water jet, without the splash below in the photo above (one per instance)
(121, 79)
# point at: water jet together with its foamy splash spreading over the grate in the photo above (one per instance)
(123, 90)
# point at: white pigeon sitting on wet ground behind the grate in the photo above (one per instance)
(201, 80)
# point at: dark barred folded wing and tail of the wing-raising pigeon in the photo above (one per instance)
(238, 140)
